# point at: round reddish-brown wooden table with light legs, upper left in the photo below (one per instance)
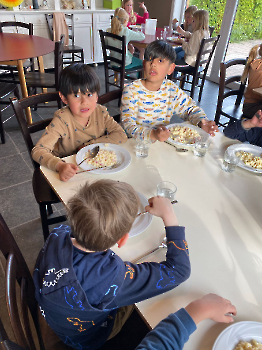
(16, 48)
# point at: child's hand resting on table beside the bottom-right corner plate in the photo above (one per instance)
(211, 306)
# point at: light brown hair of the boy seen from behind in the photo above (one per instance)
(102, 212)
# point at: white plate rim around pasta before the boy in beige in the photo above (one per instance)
(123, 157)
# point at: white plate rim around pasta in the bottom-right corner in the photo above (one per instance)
(231, 336)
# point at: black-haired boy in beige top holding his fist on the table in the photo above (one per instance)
(82, 122)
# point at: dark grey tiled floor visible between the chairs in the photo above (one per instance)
(18, 205)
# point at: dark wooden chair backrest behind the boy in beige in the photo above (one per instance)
(28, 129)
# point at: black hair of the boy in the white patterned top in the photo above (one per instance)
(160, 49)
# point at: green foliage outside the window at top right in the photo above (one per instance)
(248, 21)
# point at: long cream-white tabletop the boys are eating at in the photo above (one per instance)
(222, 213)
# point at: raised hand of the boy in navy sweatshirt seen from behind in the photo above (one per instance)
(162, 207)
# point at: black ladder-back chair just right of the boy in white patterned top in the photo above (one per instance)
(199, 72)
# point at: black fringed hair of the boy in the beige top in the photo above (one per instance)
(78, 76)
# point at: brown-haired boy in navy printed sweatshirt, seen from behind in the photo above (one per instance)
(86, 291)
